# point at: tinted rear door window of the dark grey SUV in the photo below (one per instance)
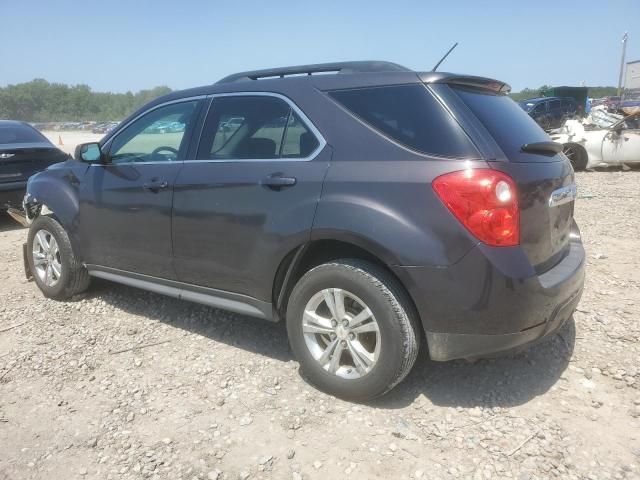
(254, 127)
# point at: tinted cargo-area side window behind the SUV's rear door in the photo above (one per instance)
(410, 115)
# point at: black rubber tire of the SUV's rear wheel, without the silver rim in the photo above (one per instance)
(392, 309)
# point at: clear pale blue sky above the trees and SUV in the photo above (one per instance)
(131, 45)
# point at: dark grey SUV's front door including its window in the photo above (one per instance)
(125, 202)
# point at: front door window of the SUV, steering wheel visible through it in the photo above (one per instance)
(157, 136)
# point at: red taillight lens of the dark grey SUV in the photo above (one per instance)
(485, 201)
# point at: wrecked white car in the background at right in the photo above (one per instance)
(601, 140)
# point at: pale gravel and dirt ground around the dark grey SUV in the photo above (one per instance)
(126, 384)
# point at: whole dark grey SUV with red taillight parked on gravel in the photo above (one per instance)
(369, 207)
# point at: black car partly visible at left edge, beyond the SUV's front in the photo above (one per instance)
(23, 152)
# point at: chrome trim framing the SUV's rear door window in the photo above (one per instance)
(305, 120)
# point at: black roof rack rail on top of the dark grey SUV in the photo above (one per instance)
(337, 67)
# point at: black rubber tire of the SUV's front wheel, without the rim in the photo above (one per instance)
(74, 277)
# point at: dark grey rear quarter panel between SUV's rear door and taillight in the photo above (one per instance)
(377, 194)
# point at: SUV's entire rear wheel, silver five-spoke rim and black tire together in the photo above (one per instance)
(353, 329)
